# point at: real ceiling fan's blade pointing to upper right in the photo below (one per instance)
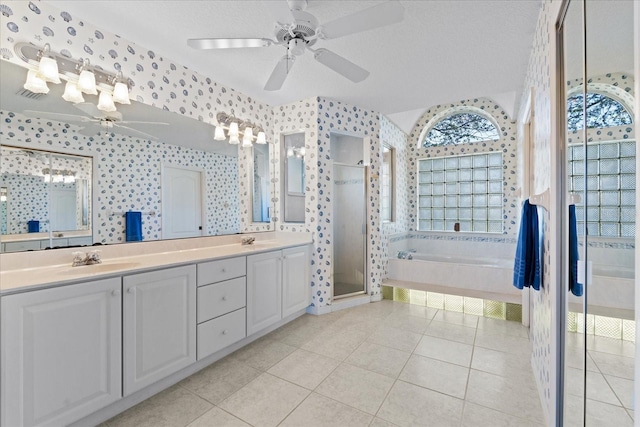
(387, 13)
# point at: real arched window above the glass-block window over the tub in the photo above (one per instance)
(461, 128)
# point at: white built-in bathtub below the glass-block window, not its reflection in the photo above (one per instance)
(488, 278)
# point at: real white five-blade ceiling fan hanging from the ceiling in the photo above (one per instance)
(298, 31)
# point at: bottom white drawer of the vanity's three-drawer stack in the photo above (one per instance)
(221, 332)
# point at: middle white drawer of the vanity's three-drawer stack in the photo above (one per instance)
(221, 298)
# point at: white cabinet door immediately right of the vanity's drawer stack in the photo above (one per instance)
(264, 290)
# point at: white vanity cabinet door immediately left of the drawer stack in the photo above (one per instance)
(159, 334)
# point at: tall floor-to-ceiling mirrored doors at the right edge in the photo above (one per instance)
(599, 140)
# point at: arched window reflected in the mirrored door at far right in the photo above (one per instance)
(602, 112)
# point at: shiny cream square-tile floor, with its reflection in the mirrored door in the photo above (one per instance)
(381, 364)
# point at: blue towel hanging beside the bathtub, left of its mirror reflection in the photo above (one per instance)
(526, 269)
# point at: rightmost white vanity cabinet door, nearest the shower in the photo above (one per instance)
(296, 284)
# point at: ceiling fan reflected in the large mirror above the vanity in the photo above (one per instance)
(96, 120)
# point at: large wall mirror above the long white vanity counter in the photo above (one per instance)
(128, 154)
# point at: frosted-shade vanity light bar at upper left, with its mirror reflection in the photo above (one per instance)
(44, 66)
